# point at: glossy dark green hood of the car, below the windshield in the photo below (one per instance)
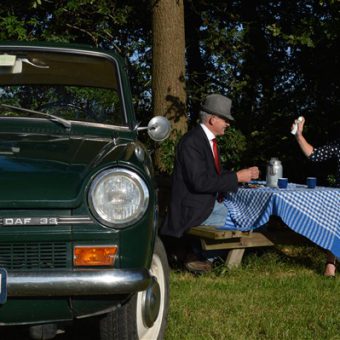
(50, 169)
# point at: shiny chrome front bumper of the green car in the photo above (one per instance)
(73, 283)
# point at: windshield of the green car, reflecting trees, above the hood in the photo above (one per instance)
(72, 86)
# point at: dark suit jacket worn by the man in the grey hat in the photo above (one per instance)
(195, 184)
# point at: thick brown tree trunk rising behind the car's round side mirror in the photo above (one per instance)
(168, 64)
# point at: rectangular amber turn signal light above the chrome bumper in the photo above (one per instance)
(94, 255)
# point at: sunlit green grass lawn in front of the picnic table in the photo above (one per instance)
(274, 295)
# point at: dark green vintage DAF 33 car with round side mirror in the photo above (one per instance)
(78, 200)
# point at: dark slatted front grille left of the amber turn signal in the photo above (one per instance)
(35, 255)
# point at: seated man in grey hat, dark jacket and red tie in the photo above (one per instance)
(198, 179)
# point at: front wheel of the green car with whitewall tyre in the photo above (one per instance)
(144, 315)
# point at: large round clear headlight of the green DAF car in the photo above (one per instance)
(118, 196)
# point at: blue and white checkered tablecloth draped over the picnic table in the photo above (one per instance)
(313, 213)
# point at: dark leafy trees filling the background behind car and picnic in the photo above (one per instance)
(275, 60)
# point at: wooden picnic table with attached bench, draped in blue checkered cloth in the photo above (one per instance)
(313, 214)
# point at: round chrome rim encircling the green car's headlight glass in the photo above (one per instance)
(136, 178)
